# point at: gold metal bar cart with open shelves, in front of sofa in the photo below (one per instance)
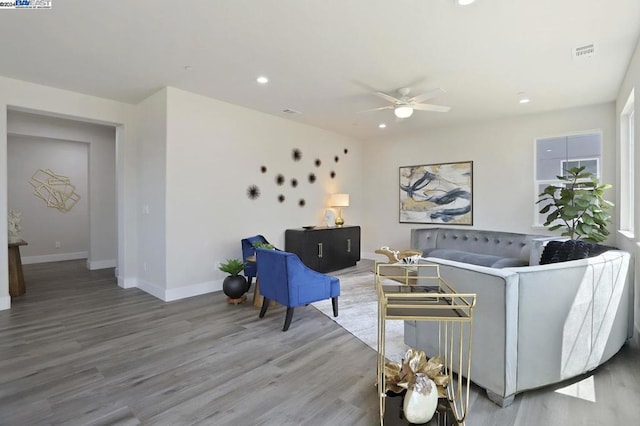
(425, 296)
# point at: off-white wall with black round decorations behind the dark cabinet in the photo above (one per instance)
(215, 151)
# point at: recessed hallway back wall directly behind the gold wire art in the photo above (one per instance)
(44, 226)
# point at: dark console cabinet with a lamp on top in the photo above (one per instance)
(325, 249)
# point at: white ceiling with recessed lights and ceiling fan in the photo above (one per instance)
(324, 58)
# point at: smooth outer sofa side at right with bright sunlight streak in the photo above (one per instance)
(573, 316)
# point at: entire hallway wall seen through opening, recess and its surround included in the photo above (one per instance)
(85, 153)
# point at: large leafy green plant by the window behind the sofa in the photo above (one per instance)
(577, 207)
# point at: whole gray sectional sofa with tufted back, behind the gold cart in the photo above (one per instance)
(533, 325)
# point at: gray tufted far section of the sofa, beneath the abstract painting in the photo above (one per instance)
(493, 249)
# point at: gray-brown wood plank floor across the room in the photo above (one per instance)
(78, 350)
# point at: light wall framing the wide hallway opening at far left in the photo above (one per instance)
(34, 98)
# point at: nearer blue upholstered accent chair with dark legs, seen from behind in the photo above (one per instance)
(285, 279)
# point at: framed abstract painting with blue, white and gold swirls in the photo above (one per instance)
(437, 193)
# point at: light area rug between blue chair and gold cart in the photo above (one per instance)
(358, 314)
